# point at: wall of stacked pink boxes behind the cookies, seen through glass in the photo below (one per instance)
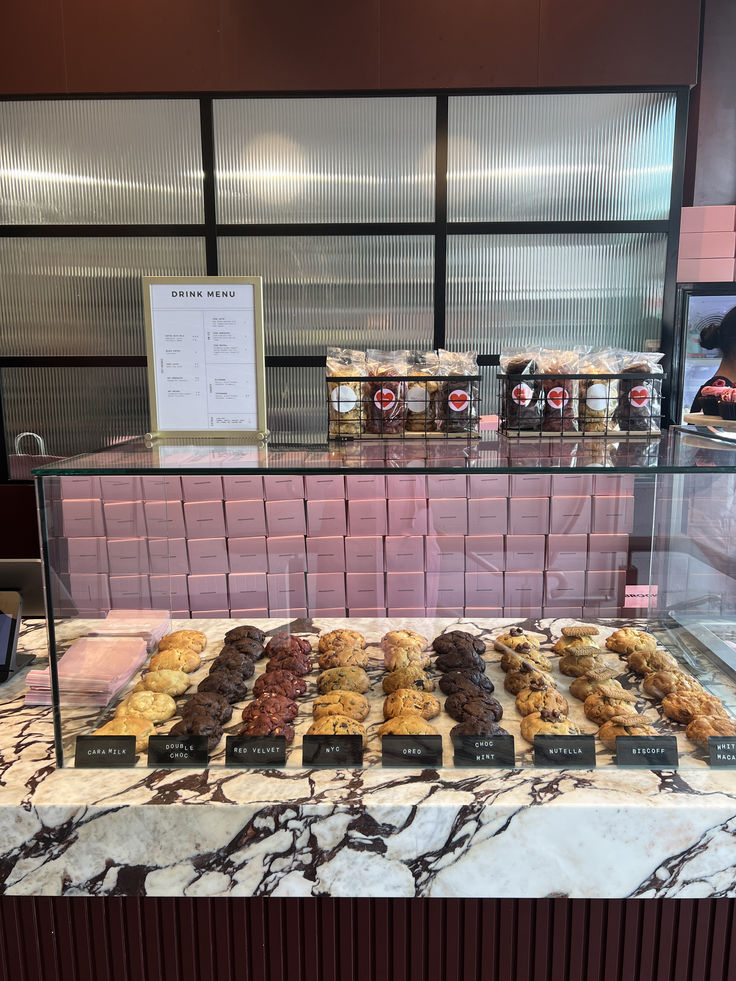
(364, 545)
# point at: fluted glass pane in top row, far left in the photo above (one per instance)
(91, 162)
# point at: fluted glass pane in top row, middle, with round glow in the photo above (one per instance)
(324, 160)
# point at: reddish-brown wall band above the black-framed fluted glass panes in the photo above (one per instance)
(85, 46)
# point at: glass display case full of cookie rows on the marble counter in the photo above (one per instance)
(569, 540)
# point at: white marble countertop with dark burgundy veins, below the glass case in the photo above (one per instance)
(373, 832)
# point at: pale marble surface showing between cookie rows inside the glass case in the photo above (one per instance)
(692, 655)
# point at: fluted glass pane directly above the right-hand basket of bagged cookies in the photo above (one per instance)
(551, 290)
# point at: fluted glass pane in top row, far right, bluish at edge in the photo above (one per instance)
(549, 157)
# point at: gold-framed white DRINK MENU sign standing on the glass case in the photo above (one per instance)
(204, 338)
